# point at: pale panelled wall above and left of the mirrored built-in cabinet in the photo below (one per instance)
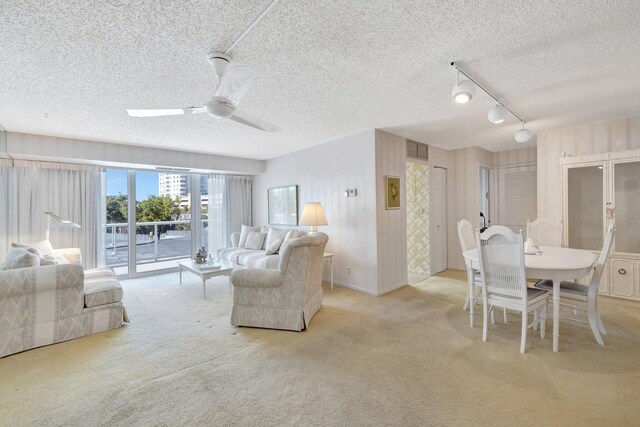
(596, 138)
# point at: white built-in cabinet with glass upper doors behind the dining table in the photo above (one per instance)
(599, 189)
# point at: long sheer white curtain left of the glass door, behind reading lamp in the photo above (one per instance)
(74, 192)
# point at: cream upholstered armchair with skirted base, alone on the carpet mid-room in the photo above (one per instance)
(286, 297)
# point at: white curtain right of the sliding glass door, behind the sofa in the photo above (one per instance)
(229, 208)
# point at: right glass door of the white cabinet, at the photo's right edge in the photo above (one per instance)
(626, 189)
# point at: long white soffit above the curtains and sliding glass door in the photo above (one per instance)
(40, 147)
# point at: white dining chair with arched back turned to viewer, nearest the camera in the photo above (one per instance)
(502, 269)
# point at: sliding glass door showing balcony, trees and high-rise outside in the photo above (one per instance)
(158, 209)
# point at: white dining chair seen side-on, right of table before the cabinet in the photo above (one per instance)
(585, 297)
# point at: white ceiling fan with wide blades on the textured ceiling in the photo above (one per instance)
(235, 82)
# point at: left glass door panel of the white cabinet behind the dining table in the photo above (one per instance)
(585, 206)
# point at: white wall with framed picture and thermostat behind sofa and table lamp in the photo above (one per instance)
(322, 173)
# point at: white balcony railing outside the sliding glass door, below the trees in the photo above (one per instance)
(155, 241)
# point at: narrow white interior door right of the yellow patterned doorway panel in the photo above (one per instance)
(438, 219)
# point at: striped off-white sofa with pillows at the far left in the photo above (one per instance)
(42, 305)
